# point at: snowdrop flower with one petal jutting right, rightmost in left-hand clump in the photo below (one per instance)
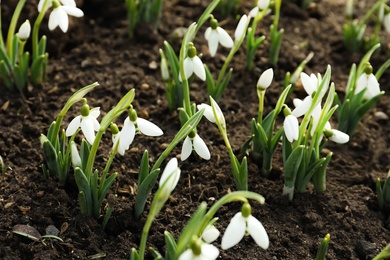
(132, 126)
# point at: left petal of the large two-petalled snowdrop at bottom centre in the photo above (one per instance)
(234, 232)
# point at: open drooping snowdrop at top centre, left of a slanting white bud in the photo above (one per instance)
(214, 35)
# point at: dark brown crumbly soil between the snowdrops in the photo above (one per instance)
(97, 48)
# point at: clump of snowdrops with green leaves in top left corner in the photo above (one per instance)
(15, 62)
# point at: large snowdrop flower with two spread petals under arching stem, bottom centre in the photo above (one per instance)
(244, 223)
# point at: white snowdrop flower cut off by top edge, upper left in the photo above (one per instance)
(59, 15)
